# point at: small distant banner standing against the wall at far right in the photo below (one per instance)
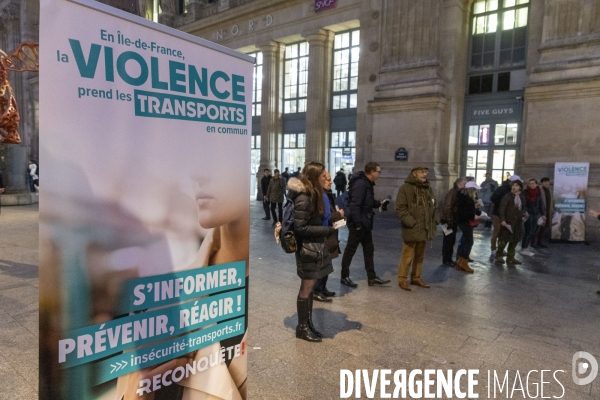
(570, 187)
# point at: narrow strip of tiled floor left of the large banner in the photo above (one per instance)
(19, 302)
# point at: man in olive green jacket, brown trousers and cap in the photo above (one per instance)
(417, 209)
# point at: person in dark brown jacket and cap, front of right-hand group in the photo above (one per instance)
(511, 213)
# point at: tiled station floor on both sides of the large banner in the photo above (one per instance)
(532, 317)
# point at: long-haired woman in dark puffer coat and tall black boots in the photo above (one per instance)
(312, 257)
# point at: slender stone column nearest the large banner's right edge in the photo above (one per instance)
(272, 107)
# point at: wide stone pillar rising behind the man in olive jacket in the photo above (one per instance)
(410, 102)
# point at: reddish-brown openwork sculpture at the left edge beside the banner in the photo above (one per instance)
(25, 58)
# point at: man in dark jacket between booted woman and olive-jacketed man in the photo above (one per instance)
(360, 223)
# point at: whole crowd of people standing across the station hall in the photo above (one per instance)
(517, 212)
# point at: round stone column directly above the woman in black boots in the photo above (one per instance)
(319, 95)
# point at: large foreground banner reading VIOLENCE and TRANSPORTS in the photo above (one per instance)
(144, 221)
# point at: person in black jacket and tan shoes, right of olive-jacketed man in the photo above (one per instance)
(467, 217)
